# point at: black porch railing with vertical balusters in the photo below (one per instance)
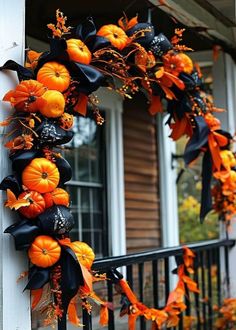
(149, 275)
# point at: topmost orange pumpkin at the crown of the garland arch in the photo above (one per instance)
(115, 35)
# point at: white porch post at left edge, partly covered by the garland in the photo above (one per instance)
(14, 304)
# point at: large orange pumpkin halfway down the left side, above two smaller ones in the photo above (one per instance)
(41, 175)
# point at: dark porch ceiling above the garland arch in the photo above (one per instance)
(40, 12)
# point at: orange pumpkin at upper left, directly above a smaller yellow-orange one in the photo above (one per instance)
(55, 76)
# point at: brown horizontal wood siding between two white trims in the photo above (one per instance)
(141, 177)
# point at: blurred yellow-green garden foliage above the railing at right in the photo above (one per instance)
(189, 188)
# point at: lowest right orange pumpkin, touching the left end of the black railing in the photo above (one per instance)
(84, 253)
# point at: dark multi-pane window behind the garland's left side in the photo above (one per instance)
(86, 155)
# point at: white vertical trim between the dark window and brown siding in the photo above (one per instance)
(112, 103)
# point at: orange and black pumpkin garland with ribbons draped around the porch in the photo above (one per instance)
(57, 85)
